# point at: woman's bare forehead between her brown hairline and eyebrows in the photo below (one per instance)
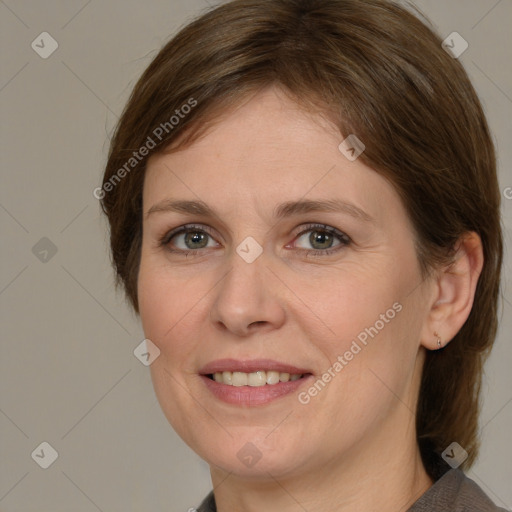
(266, 151)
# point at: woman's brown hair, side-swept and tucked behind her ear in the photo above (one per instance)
(380, 73)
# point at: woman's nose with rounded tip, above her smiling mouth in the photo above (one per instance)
(248, 298)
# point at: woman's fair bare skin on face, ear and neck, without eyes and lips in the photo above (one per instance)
(353, 446)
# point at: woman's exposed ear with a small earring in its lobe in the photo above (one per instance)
(454, 292)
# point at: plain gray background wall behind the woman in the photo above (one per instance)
(68, 373)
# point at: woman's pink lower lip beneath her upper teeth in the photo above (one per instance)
(249, 395)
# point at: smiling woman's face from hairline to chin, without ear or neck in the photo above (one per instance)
(333, 295)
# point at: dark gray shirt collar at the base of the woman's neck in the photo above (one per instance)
(453, 492)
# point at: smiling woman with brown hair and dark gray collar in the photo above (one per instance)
(303, 219)
